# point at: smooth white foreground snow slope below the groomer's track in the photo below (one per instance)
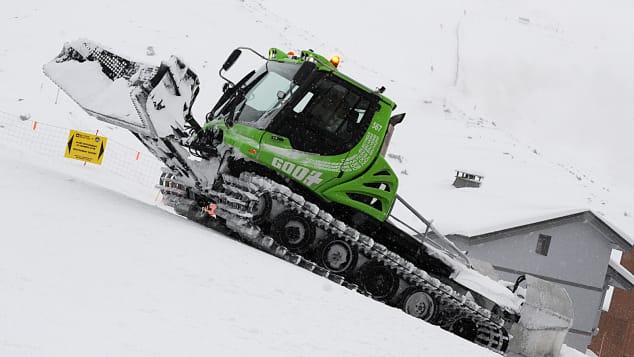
(87, 271)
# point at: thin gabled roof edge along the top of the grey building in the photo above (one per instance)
(610, 232)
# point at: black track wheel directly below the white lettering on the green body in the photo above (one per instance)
(294, 231)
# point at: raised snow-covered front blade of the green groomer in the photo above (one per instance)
(149, 101)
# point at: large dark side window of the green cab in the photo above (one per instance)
(333, 116)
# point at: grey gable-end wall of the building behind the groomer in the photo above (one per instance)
(577, 260)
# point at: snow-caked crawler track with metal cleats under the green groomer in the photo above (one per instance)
(249, 187)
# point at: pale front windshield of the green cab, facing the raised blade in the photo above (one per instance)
(267, 94)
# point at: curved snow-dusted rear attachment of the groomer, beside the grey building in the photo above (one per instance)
(546, 317)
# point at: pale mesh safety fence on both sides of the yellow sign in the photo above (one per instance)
(49, 141)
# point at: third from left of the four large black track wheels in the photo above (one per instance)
(378, 280)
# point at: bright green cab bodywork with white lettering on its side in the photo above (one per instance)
(360, 178)
